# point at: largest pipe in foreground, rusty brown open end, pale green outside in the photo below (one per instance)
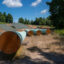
(10, 42)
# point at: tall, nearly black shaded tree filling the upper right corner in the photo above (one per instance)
(57, 13)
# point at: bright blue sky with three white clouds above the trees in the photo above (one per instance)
(29, 9)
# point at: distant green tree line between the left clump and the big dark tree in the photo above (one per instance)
(37, 21)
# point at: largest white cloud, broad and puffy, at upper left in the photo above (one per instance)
(13, 3)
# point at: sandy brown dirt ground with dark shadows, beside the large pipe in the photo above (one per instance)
(43, 49)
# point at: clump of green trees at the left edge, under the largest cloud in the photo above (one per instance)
(7, 18)
